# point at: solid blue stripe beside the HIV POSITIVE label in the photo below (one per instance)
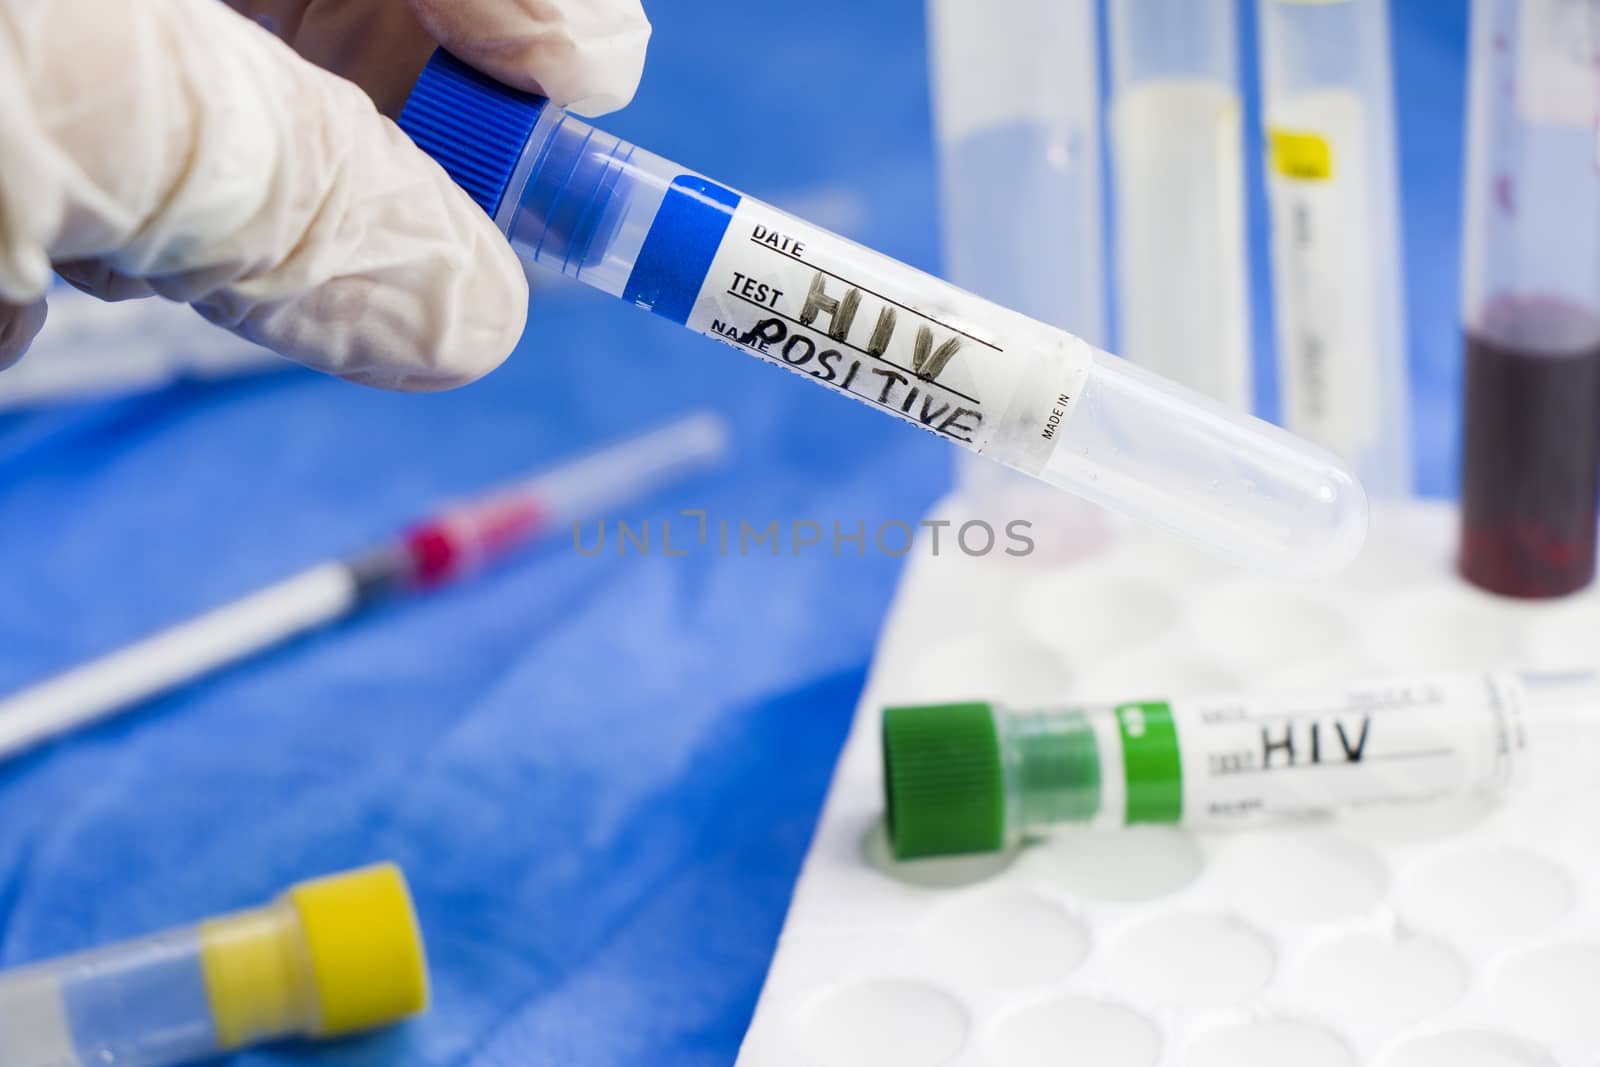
(679, 247)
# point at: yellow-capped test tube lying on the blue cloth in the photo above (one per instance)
(330, 957)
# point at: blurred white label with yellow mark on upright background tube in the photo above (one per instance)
(1322, 260)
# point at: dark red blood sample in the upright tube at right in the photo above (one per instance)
(1532, 454)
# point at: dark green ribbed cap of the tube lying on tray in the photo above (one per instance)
(943, 780)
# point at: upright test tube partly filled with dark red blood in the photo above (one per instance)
(1532, 298)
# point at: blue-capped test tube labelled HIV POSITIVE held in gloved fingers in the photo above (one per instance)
(906, 343)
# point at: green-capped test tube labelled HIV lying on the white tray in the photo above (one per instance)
(964, 778)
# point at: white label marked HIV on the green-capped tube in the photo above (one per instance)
(1366, 746)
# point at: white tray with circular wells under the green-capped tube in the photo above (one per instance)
(1470, 940)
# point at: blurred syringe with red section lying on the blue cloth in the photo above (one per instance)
(441, 549)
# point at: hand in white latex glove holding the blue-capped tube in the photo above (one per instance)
(175, 148)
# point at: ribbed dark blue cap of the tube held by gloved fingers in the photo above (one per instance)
(473, 126)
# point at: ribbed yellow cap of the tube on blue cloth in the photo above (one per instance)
(366, 948)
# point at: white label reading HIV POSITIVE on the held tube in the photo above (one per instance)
(890, 337)
